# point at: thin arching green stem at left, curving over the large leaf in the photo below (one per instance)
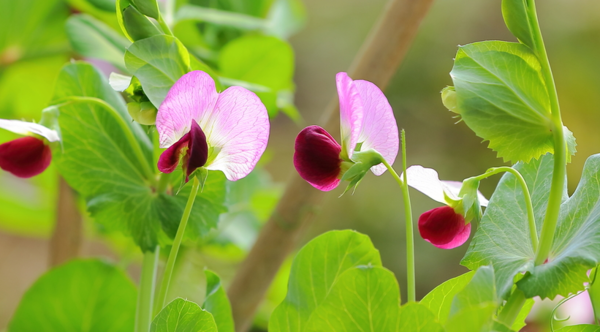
(135, 146)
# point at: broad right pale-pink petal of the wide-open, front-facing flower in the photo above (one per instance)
(238, 130)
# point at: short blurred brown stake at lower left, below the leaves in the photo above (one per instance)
(65, 243)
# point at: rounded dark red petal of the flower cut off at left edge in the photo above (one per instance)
(25, 157)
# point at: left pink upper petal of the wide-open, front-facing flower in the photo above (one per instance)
(192, 97)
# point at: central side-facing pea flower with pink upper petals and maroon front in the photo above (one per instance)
(367, 123)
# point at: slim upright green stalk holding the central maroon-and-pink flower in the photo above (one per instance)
(410, 238)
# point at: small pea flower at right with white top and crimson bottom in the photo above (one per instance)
(445, 227)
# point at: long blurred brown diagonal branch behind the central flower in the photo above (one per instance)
(377, 61)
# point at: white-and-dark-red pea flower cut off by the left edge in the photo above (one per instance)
(30, 155)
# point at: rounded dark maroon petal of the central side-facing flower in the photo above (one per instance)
(317, 158)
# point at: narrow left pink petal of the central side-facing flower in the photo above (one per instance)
(351, 112)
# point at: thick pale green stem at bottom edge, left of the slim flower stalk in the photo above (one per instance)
(145, 300)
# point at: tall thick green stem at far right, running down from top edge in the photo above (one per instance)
(560, 153)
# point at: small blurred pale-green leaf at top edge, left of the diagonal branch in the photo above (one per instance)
(285, 18)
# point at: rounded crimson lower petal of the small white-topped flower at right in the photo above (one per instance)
(444, 228)
